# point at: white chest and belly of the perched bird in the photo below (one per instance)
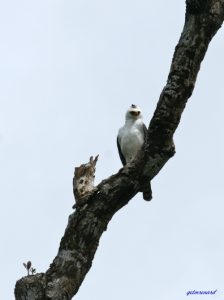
(131, 139)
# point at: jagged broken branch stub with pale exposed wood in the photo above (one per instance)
(83, 181)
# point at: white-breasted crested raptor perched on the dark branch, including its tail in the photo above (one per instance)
(130, 139)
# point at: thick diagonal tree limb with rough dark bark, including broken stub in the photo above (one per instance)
(95, 206)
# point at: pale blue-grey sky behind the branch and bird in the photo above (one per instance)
(69, 71)
